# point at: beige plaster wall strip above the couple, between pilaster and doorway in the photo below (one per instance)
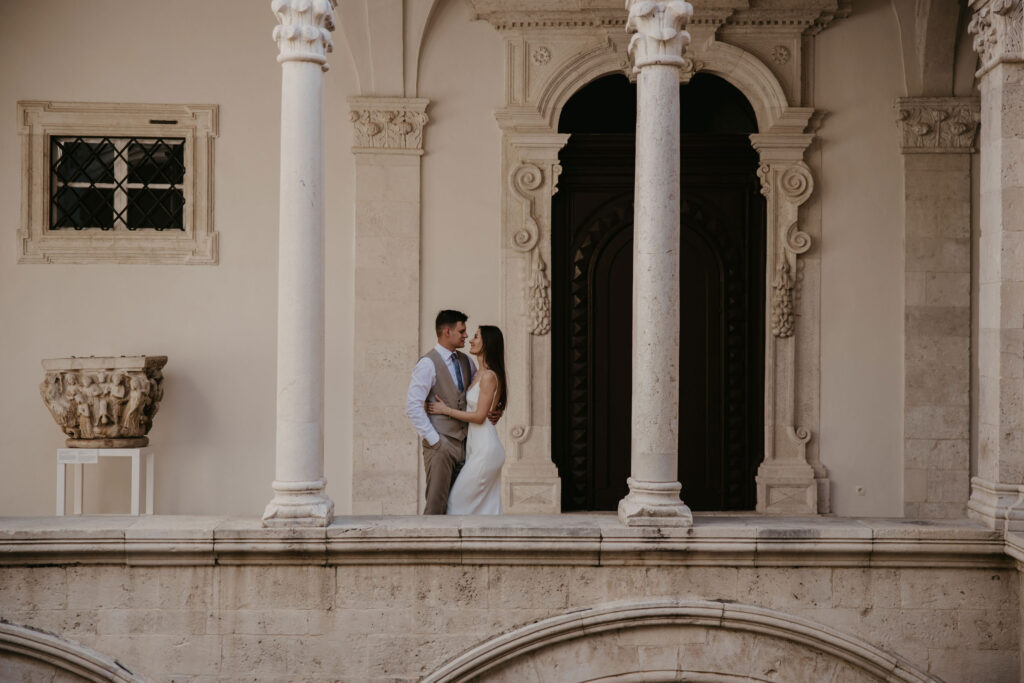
(461, 68)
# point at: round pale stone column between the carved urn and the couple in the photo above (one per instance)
(304, 39)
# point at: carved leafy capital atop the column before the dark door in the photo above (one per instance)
(659, 34)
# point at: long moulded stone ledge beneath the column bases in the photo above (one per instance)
(591, 540)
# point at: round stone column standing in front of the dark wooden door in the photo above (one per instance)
(657, 49)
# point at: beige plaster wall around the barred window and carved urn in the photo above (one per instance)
(216, 430)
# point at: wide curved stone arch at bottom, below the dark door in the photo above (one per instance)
(677, 641)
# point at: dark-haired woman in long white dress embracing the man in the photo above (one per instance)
(478, 489)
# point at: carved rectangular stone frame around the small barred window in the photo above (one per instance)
(198, 124)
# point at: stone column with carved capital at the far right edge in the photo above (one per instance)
(997, 492)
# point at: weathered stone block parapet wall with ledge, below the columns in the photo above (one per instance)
(402, 599)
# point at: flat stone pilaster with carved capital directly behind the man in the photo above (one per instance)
(388, 146)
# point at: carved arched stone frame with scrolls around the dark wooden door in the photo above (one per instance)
(545, 66)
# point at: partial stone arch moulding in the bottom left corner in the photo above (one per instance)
(31, 652)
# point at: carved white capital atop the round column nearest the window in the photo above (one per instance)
(304, 32)
